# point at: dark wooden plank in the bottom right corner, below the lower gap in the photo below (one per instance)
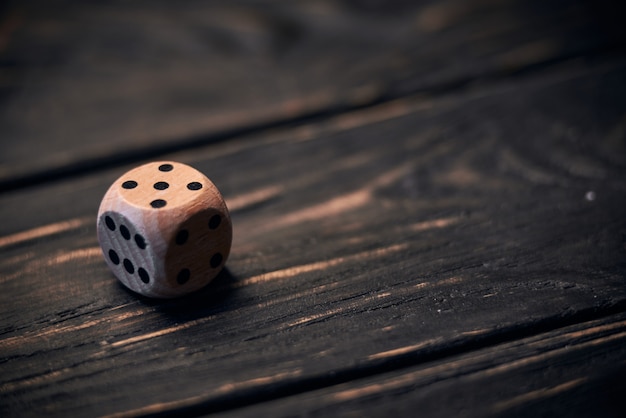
(577, 371)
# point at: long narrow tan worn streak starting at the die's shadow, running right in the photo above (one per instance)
(319, 265)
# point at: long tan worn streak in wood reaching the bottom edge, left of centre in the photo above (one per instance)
(225, 389)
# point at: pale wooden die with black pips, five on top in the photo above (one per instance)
(164, 229)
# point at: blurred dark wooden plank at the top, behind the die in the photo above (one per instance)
(90, 84)
